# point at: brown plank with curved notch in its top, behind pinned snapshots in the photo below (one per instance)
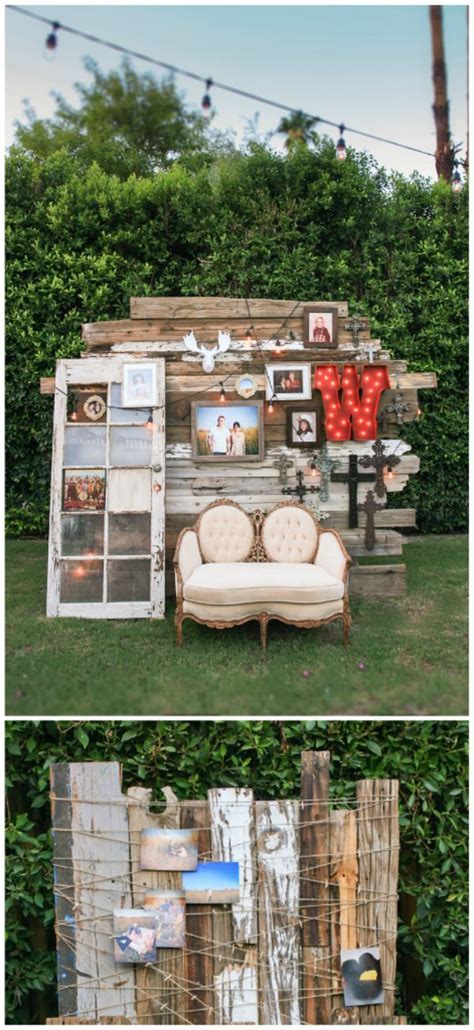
(159, 986)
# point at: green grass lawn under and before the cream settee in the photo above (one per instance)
(415, 650)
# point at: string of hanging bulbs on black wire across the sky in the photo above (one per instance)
(207, 104)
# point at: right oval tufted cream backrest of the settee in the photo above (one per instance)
(289, 534)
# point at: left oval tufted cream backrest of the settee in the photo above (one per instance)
(226, 534)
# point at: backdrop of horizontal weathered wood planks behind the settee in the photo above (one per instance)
(156, 329)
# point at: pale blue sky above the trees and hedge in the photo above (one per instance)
(367, 66)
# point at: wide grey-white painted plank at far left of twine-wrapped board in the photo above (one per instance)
(92, 871)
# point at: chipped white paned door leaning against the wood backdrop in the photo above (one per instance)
(108, 510)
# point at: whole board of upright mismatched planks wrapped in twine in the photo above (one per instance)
(317, 876)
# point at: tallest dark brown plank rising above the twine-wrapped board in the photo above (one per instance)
(315, 874)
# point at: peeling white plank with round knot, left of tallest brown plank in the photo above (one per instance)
(280, 954)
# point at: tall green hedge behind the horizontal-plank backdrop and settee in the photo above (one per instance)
(300, 226)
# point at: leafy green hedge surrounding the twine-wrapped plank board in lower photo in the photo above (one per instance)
(430, 760)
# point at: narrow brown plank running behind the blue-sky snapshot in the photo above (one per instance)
(199, 1006)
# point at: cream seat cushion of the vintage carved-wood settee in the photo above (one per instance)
(248, 582)
